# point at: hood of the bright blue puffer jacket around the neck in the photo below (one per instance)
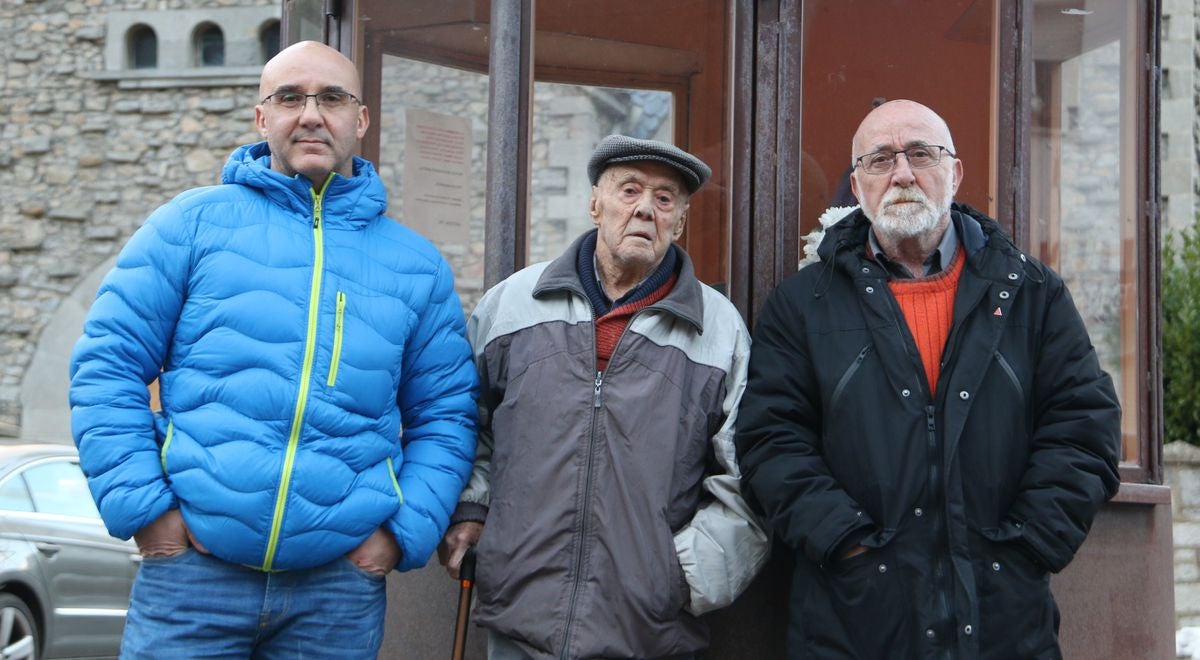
(349, 202)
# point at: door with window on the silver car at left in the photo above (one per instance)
(88, 574)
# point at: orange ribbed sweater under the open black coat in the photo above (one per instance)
(928, 308)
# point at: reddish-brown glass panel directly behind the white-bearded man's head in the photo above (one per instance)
(859, 55)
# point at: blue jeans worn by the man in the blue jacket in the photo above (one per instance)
(194, 605)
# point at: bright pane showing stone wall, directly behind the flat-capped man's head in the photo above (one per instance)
(571, 121)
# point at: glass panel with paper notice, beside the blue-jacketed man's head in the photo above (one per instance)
(431, 122)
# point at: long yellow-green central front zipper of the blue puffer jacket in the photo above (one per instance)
(319, 266)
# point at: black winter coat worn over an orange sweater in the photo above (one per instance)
(967, 500)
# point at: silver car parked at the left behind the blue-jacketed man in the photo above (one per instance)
(64, 581)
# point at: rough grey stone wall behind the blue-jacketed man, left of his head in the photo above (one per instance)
(86, 160)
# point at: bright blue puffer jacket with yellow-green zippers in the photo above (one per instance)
(297, 332)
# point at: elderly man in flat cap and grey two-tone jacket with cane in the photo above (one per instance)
(605, 495)
